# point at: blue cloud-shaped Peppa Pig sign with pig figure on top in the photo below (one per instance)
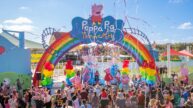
(97, 29)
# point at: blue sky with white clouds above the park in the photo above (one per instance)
(162, 21)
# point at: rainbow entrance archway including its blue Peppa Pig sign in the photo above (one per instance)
(106, 29)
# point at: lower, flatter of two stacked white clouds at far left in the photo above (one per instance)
(28, 28)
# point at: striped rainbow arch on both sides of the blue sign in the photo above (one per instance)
(66, 42)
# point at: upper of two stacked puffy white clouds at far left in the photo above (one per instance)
(19, 20)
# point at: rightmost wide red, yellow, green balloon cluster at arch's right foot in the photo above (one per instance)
(148, 72)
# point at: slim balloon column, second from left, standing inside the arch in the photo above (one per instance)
(69, 72)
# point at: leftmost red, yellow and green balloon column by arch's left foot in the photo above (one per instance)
(47, 74)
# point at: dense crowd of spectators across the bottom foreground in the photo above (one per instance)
(139, 95)
